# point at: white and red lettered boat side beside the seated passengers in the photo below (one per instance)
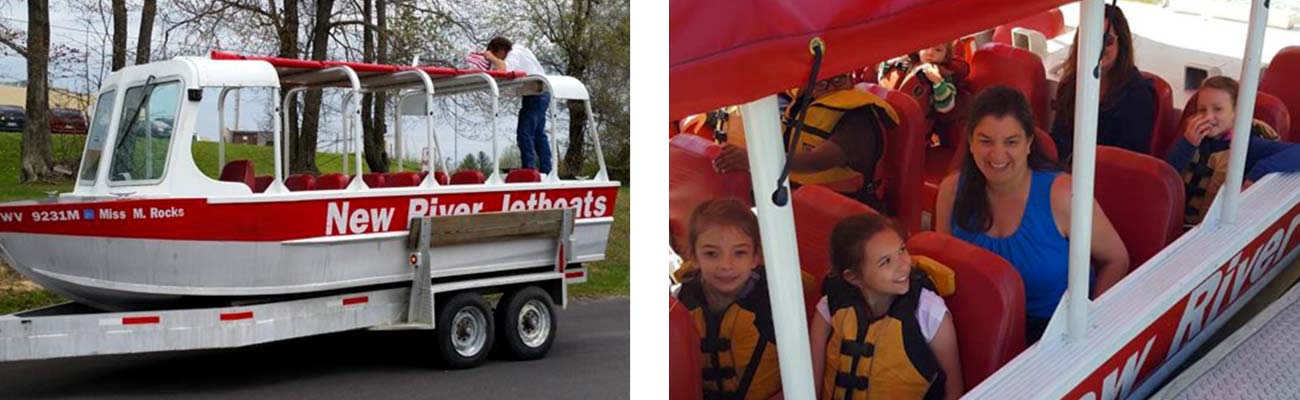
(1181, 288)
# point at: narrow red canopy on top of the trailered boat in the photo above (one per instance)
(291, 67)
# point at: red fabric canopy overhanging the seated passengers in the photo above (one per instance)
(731, 53)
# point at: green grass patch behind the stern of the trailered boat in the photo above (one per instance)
(612, 277)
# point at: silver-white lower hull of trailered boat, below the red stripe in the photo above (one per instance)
(142, 269)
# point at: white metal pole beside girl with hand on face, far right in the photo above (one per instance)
(1250, 85)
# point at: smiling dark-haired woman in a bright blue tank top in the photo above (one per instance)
(1013, 202)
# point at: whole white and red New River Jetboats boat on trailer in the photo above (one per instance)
(145, 228)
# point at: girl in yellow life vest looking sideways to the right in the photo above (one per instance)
(882, 331)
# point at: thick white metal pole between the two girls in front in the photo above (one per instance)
(777, 223)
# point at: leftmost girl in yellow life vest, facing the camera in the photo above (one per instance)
(727, 297)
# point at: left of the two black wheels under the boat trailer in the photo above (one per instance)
(465, 331)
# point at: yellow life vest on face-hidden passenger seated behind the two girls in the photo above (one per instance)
(822, 118)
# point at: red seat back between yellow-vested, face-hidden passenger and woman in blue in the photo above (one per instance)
(904, 166)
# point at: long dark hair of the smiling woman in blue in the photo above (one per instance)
(972, 210)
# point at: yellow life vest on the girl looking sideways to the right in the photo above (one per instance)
(886, 358)
